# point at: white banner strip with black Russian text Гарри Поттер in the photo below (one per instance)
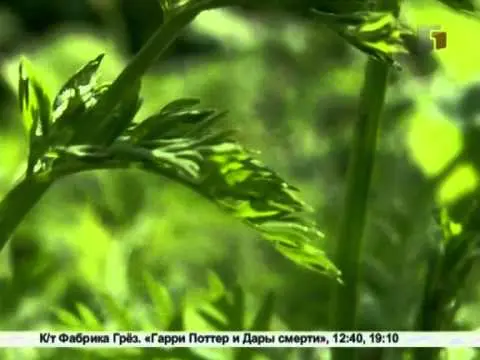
(237, 339)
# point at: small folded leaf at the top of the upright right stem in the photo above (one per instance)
(378, 34)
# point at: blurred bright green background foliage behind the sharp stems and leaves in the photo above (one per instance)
(291, 87)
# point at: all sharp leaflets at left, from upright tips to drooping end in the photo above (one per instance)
(180, 142)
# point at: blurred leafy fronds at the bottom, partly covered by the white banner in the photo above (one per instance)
(222, 308)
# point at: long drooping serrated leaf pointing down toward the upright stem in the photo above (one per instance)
(216, 166)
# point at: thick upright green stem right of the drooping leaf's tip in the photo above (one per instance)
(362, 158)
